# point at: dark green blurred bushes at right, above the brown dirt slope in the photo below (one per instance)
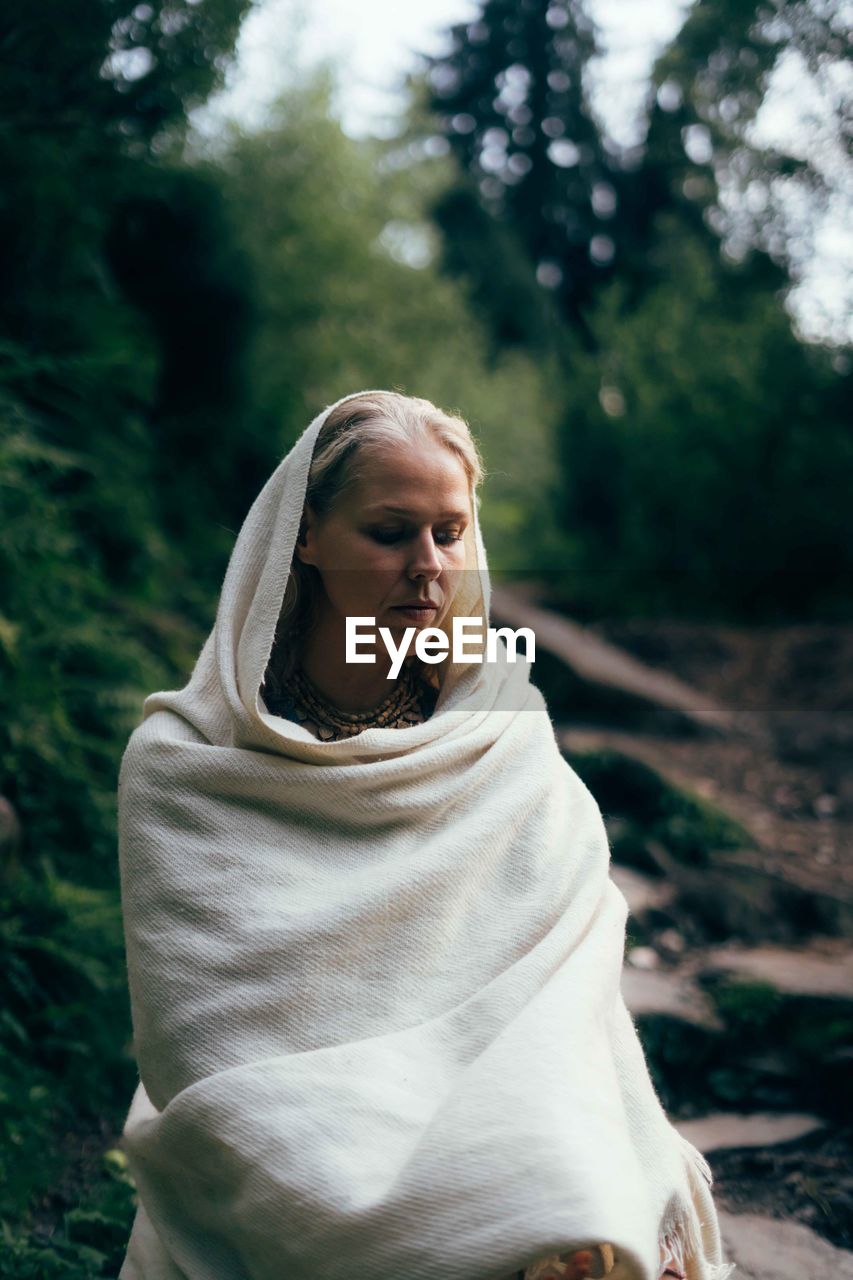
(706, 455)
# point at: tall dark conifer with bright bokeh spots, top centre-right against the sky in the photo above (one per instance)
(510, 97)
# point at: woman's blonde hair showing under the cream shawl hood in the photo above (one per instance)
(352, 432)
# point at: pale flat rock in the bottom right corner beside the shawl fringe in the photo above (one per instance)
(769, 1249)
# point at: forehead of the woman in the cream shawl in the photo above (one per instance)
(412, 476)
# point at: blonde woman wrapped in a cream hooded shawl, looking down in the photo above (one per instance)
(373, 948)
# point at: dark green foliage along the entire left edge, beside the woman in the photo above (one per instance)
(97, 604)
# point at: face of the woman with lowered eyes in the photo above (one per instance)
(391, 547)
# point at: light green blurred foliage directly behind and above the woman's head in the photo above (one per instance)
(339, 308)
